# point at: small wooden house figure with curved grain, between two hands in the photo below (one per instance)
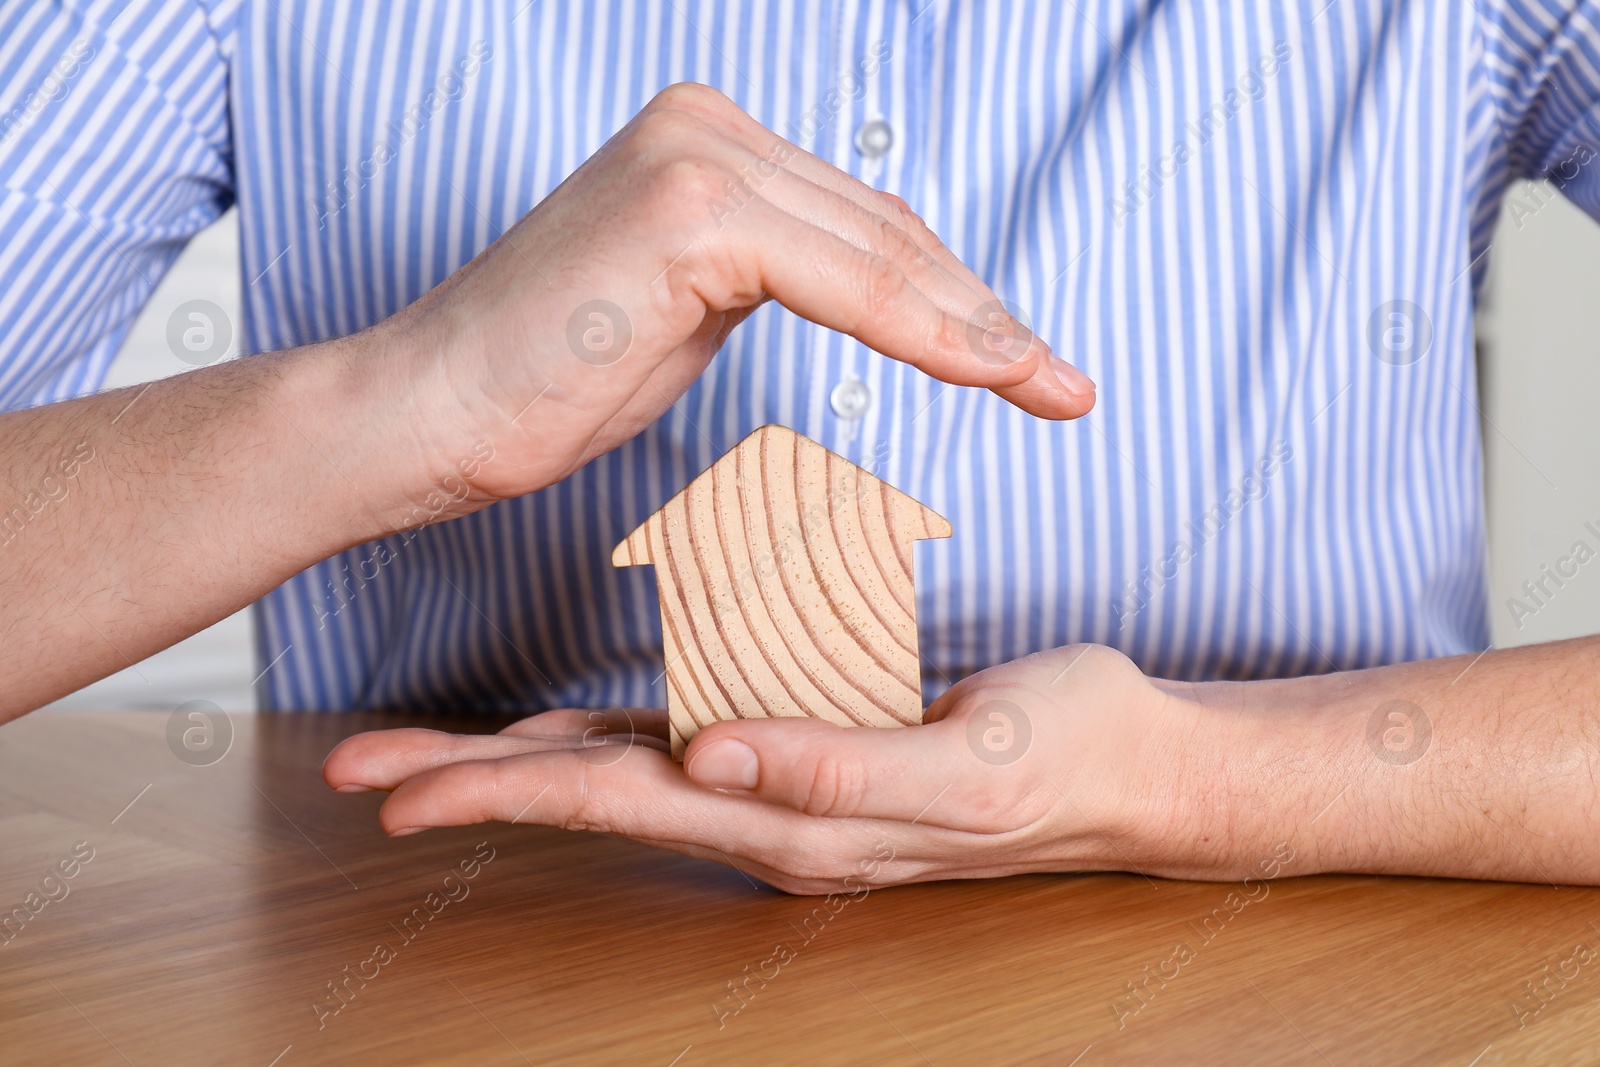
(786, 589)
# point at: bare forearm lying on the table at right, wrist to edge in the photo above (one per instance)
(1476, 769)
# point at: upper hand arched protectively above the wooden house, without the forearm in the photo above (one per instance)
(591, 318)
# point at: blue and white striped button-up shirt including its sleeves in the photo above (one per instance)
(1258, 225)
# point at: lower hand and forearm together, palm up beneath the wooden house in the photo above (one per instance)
(1070, 761)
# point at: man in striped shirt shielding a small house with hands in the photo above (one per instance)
(1257, 226)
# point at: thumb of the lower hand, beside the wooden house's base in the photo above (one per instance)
(927, 775)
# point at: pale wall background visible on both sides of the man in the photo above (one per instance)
(1540, 337)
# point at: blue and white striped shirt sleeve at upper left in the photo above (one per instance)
(114, 153)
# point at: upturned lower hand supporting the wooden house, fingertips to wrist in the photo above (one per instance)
(1038, 765)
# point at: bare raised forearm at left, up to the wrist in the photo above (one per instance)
(135, 519)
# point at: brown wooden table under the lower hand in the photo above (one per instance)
(223, 900)
